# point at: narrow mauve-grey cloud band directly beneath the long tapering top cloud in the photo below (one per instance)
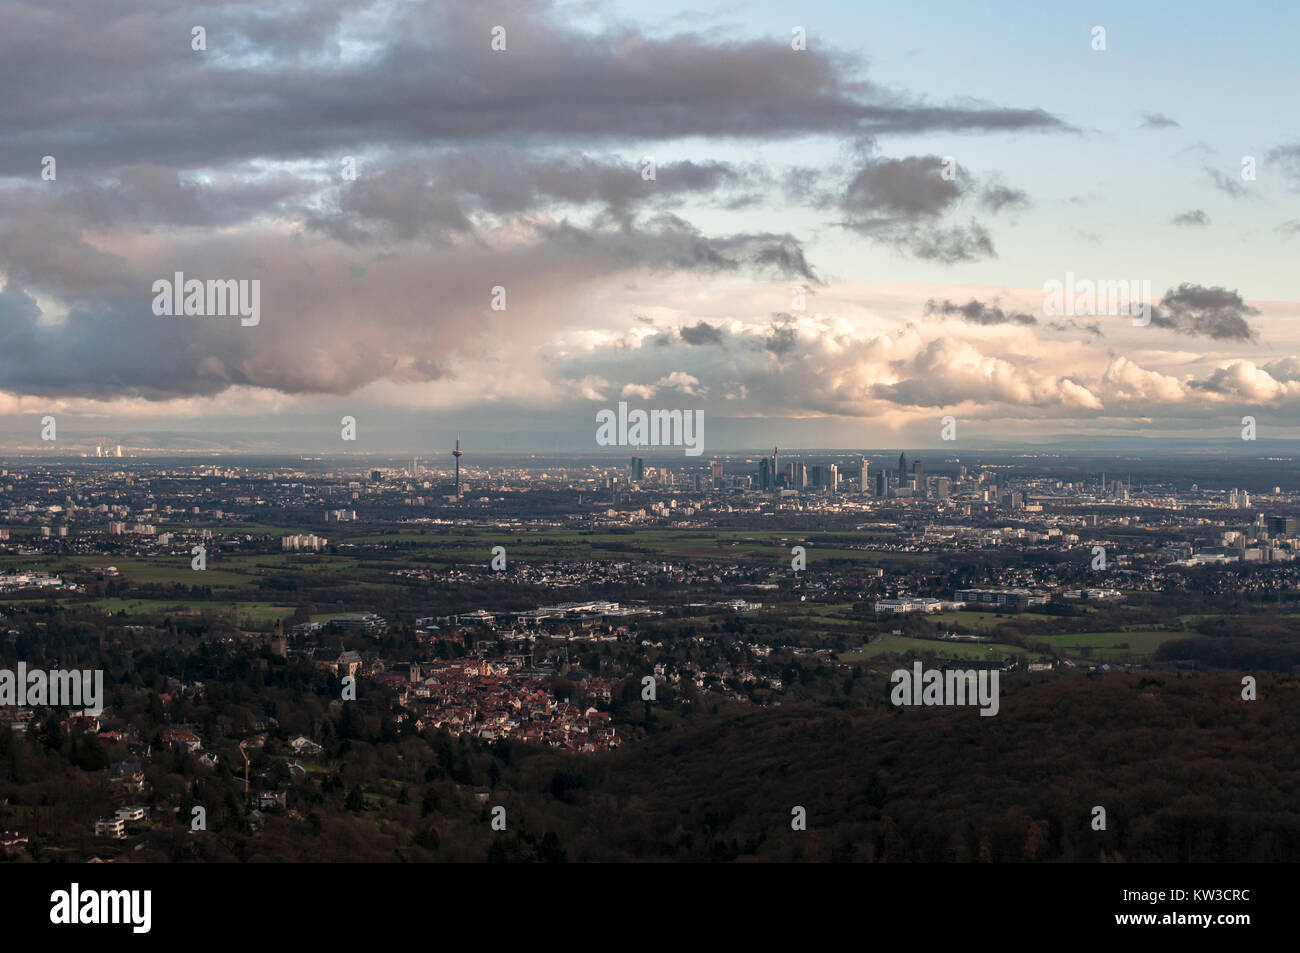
(436, 198)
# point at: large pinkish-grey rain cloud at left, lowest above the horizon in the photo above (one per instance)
(322, 331)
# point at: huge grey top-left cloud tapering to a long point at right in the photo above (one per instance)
(109, 85)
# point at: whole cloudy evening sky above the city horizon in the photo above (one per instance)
(669, 206)
